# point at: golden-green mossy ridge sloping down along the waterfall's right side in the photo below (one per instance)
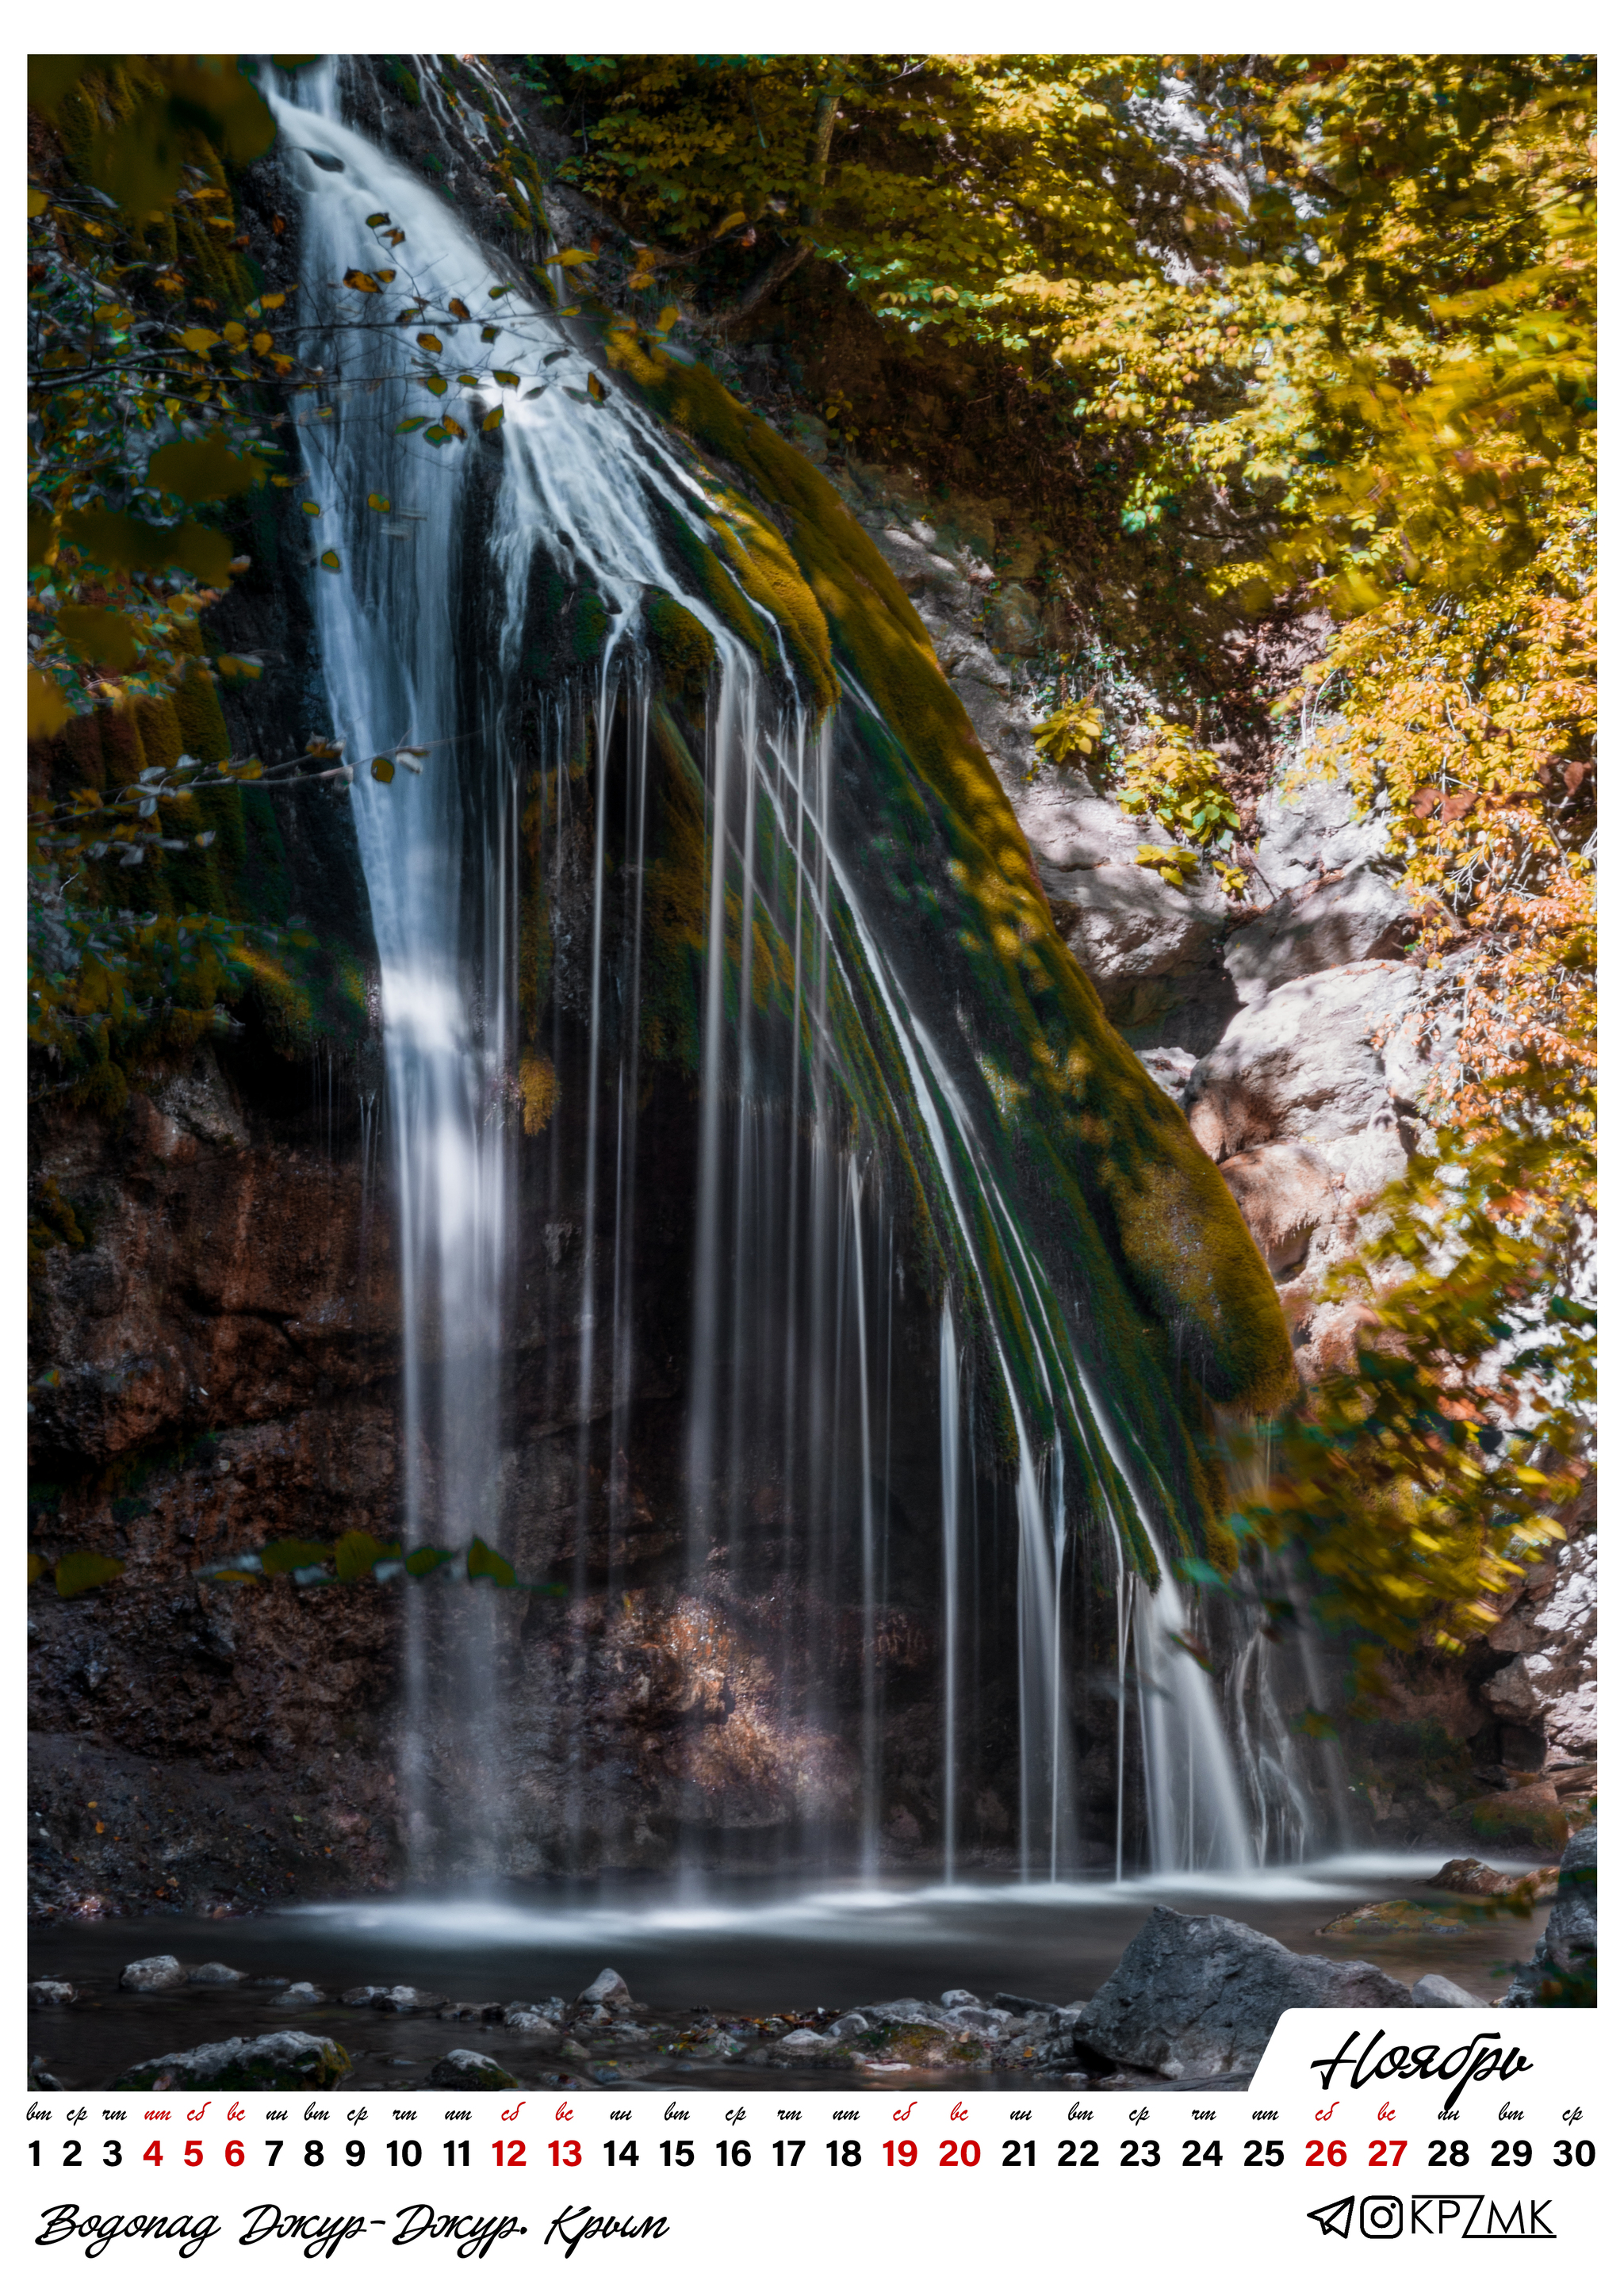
(1083, 1101)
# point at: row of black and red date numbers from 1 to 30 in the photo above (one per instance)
(844, 2152)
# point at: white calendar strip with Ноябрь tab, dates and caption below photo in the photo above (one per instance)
(1366, 2143)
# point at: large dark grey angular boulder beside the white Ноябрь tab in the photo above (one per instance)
(1198, 1996)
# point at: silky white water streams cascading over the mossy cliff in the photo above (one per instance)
(789, 1409)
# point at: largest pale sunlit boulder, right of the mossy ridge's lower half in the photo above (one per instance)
(1306, 1064)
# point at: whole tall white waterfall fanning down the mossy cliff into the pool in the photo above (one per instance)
(846, 1154)
